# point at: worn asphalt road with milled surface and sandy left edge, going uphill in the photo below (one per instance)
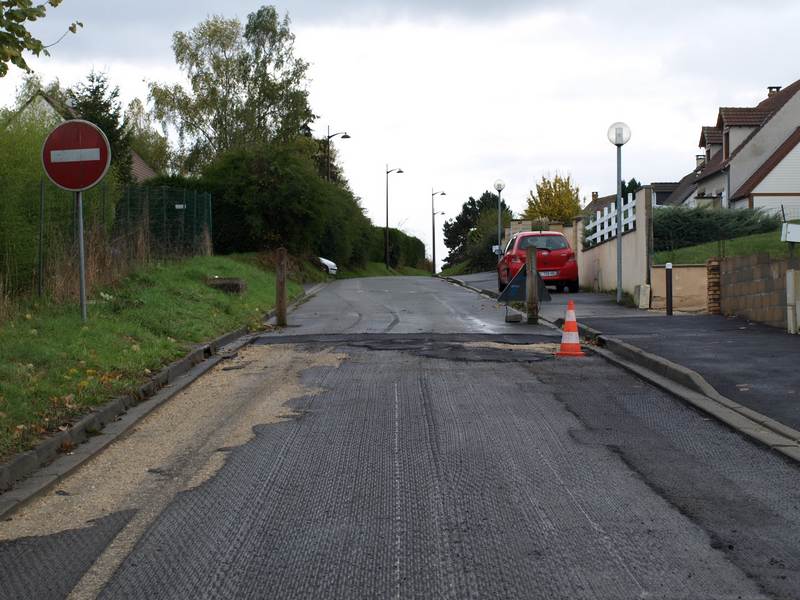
(399, 440)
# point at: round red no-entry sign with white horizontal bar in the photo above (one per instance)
(76, 155)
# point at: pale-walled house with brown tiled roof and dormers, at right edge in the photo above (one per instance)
(750, 157)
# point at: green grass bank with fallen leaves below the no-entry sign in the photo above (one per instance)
(53, 368)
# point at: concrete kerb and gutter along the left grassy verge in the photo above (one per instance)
(32, 473)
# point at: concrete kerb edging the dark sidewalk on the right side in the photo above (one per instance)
(685, 383)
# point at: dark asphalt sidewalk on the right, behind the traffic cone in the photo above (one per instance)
(752, 364)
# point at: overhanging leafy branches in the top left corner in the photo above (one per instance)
(14, 36)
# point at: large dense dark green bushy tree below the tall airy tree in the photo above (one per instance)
(270, 195)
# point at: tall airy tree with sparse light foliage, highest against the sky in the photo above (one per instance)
(246, 86)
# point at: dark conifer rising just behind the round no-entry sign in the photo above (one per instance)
(97, 102)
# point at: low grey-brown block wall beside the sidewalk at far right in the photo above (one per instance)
(754, 287)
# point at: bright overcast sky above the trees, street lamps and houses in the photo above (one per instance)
(460, 93)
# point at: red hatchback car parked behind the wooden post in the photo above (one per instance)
(555, 260)
